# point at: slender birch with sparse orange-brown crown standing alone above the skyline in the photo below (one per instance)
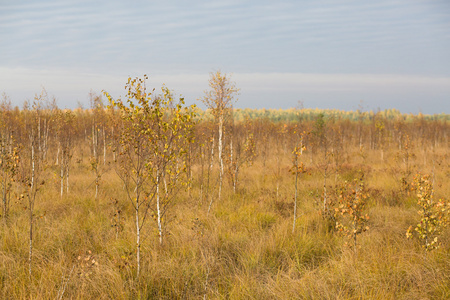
(219, 99)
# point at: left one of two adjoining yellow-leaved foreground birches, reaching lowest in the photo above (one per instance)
(133, 146)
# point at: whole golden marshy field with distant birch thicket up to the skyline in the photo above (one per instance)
(246, 247)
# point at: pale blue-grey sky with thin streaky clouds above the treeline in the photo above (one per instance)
(337, 54)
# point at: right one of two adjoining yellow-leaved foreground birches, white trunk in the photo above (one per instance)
(172, 134)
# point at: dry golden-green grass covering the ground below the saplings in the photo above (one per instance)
(244, 249)
